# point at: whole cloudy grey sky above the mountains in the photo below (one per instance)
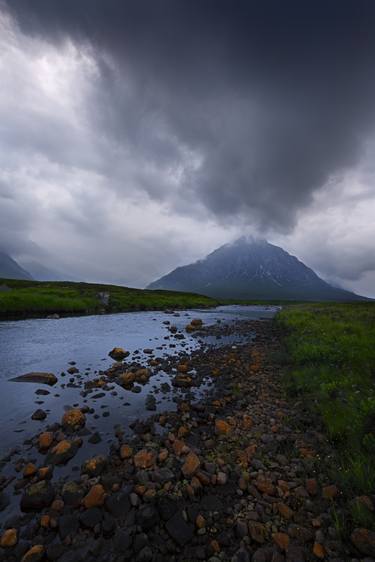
(137, 136)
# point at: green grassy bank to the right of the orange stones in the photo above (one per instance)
(330, 349)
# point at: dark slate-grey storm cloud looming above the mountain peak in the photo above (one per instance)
(269, 98)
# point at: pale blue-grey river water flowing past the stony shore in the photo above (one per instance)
(49, 345)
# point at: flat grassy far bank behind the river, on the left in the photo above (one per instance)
(34, 298)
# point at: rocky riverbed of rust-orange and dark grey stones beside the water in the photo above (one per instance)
(232, 473)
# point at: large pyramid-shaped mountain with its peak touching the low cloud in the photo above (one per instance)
(252, 269)
